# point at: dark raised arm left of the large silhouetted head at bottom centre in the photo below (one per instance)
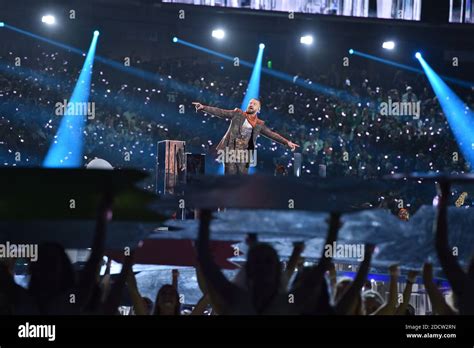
(223, 294)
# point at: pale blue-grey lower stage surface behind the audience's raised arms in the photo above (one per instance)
(408, 243)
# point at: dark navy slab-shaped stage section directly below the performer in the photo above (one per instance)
(270, 192)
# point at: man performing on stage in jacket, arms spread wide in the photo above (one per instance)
(242, 134)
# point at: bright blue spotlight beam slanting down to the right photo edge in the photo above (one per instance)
(458, 114)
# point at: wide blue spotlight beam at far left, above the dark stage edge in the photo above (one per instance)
(67, 148)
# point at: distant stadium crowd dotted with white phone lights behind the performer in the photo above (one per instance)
(342, 130)
